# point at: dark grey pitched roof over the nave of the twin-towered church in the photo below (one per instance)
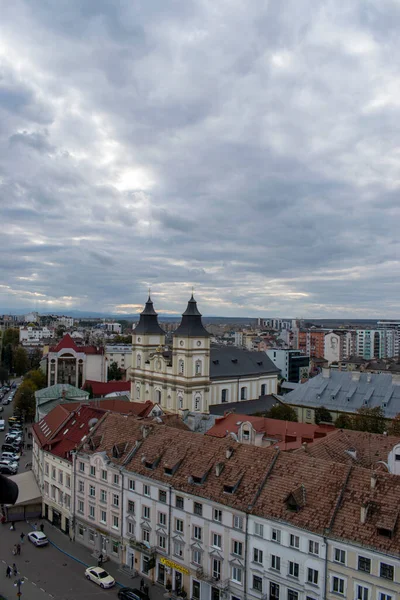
(229, 361)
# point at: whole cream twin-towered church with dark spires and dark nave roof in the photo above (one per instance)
(191, 374)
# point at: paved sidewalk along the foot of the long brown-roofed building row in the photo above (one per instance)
(83, 555)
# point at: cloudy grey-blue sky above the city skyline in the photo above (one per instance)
(250, 150)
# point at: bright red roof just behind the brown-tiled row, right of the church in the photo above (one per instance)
(287, 435)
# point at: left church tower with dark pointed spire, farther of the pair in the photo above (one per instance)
(147, 338)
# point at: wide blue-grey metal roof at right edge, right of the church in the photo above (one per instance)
(348, 391)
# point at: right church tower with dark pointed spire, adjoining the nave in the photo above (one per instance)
(191, 361)
